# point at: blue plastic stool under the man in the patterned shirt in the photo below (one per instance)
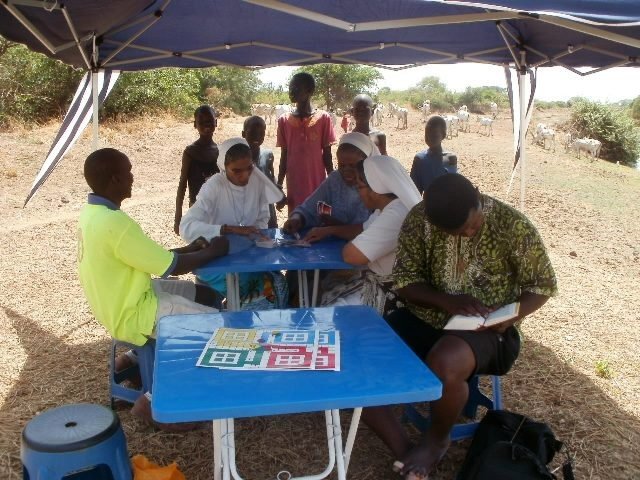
(476, 399)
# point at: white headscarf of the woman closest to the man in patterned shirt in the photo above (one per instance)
(386, 175)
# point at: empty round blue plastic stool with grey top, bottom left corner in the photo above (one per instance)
(75, 441)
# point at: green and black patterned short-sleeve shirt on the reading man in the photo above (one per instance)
(505, 258)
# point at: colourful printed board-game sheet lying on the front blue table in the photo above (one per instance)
(272, 349)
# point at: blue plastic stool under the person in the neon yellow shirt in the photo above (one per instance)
(144, 371)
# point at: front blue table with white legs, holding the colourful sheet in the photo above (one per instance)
(377, 368)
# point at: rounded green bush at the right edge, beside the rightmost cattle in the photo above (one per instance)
(611, 125)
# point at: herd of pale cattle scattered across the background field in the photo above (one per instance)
(543, 135)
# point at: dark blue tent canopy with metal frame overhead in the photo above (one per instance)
(143, 34)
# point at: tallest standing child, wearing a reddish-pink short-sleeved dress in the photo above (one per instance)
(305, 136)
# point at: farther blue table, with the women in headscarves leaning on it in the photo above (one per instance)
(323, 255)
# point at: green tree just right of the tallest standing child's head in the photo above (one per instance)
(338, 84)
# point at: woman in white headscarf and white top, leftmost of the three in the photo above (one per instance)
(236, 201)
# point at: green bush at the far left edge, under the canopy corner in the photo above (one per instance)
(33, 87)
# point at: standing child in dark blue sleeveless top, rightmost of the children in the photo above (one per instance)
(434, 162)
